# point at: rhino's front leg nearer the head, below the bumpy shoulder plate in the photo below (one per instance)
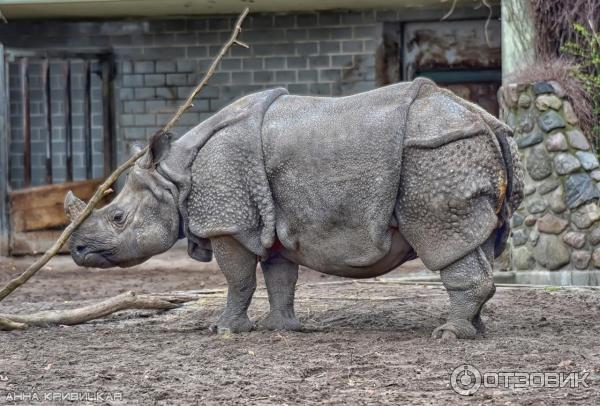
(239, 266)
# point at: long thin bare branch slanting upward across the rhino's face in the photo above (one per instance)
(105, 186)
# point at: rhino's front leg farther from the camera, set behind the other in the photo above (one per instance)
(280, 278)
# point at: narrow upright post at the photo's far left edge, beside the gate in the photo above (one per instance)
(4, 224)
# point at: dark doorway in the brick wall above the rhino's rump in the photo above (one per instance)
(463, 56)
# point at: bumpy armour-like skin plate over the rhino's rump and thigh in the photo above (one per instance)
(448, 199)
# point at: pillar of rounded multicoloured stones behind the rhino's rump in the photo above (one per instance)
(557, 226)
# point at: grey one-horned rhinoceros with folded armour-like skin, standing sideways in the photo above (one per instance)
(351, 186)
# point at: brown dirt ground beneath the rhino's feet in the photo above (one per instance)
(363, 343)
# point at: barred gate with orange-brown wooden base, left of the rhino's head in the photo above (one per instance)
(60, 136)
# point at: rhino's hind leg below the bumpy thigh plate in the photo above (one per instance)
(470, 284)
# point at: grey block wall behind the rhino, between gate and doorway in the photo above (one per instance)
(158, 61)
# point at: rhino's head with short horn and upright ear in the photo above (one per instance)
(142, 221)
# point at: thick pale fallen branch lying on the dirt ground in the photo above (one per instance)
(69, 317)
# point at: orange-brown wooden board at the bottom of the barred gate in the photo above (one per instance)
(41, 208)
